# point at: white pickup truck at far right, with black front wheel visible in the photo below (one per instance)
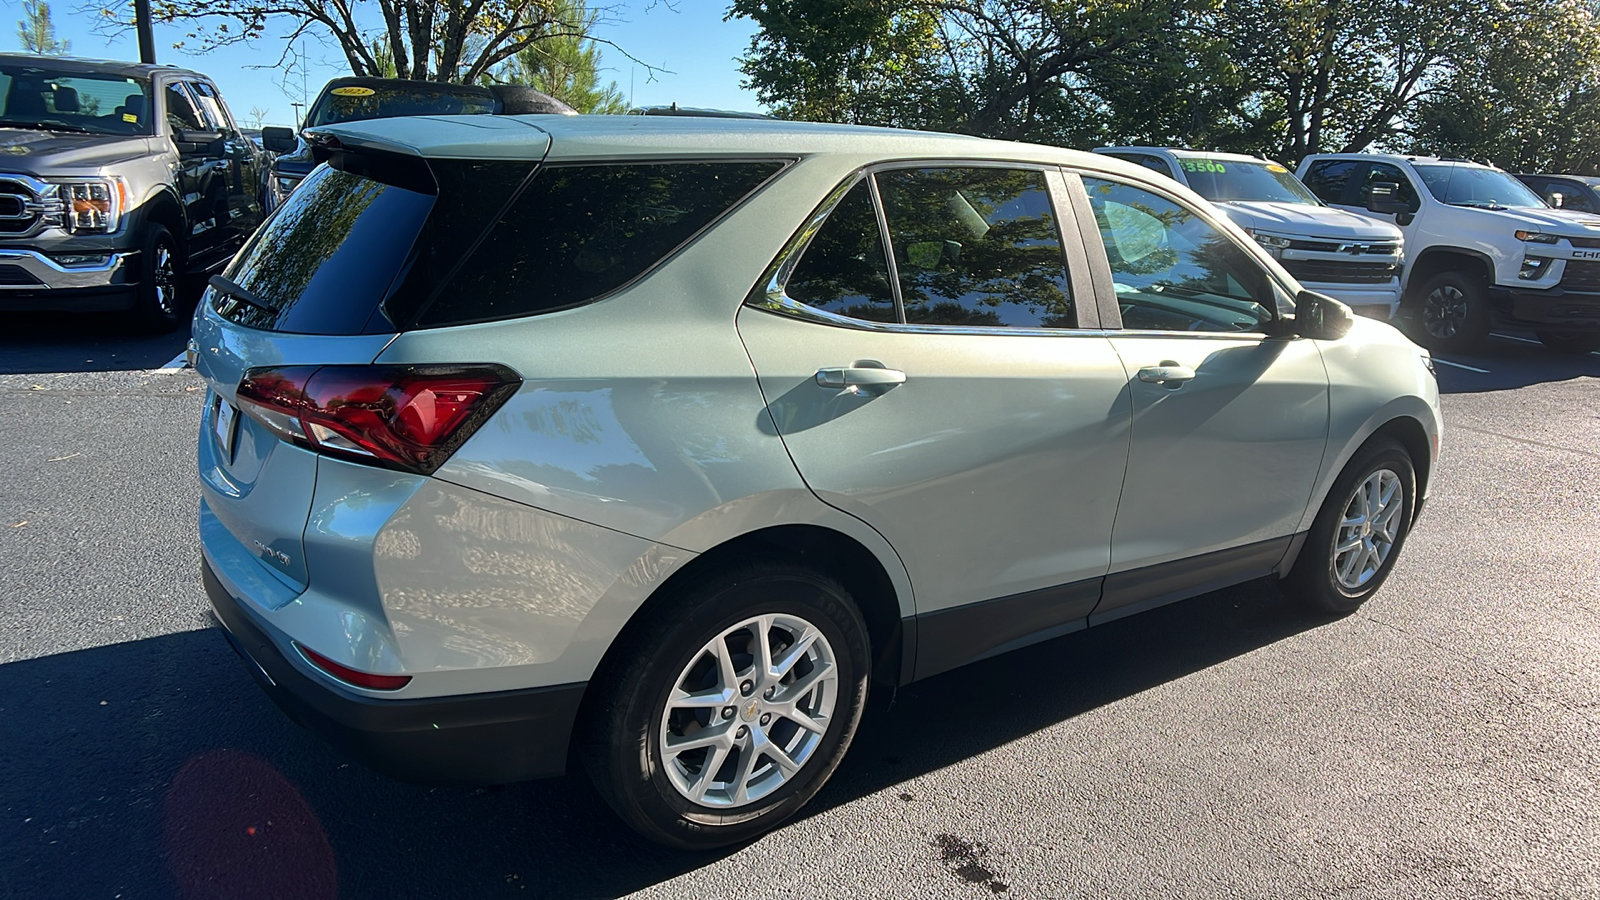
(1484, 251)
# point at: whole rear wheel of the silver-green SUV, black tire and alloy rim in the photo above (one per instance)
(730, 707)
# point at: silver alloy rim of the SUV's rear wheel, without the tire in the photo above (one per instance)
(750, 712)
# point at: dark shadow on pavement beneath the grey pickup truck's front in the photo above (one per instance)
(100, 342)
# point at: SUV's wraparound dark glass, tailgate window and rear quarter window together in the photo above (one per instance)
(447, 243)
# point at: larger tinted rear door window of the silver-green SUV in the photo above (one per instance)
(977, 247)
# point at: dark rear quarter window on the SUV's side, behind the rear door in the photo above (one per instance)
(578, 233)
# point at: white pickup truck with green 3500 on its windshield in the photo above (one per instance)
(1348, 257)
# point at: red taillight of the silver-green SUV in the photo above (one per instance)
(401, 417)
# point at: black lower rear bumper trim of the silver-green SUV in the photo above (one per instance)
(481, 739)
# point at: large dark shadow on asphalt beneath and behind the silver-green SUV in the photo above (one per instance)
(158, 769)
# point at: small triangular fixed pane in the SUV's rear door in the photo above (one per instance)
(844, 270)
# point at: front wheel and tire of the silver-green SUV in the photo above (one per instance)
(1359, 531)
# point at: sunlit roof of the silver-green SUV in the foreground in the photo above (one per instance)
(644, 137)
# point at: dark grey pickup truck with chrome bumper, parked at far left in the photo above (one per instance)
(119, 185)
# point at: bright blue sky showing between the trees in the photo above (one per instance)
(687, 39)
